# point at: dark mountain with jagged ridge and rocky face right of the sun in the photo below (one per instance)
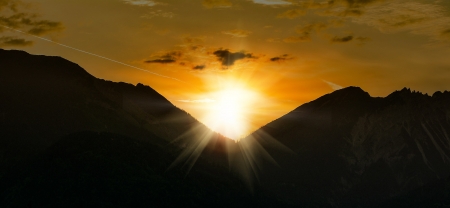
(351, 149)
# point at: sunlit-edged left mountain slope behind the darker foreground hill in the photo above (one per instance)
(44, 98)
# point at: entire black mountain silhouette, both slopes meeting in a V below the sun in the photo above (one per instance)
(70, 139)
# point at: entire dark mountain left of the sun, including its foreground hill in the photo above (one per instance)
(70, 139)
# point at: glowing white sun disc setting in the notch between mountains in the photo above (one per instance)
(228, 114)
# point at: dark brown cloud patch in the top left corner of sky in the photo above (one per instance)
(15, 16)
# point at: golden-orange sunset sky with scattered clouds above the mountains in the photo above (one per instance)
(259, 59)
